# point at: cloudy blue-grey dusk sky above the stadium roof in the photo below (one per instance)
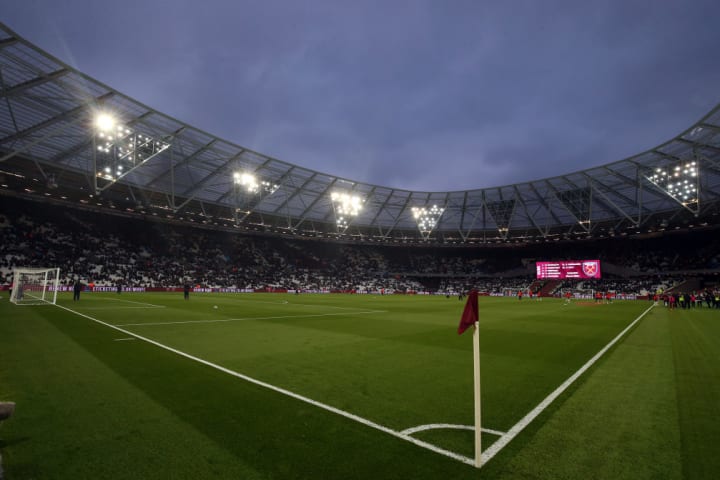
(419, 95)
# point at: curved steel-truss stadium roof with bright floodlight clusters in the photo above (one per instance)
(142, 161)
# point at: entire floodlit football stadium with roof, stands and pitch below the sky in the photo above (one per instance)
(175, 305)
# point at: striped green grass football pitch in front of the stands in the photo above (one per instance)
(96, 402)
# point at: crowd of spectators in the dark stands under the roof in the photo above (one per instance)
(114, 250)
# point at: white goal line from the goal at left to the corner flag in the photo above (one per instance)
(337, 411)
